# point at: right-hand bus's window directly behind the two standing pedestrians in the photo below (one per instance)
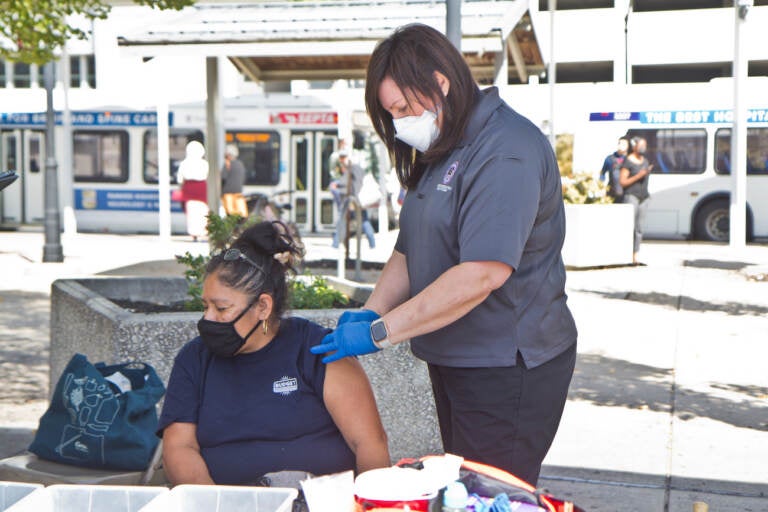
(675, 151)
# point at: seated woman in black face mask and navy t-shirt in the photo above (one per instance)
(247, 397)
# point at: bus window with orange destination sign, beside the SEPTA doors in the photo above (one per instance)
(260, 154)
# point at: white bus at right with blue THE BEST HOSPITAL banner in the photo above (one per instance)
(690, 182)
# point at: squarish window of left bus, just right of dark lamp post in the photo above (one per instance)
(100, 156)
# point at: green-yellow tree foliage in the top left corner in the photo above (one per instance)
(32, 30)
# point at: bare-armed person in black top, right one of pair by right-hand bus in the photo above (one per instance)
(634, 180)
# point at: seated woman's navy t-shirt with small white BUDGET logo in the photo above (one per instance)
(258, 412)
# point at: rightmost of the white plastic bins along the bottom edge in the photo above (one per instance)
(223, 498)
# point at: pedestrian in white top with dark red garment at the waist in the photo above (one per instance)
(192, 176)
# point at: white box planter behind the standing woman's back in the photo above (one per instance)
(598, 235)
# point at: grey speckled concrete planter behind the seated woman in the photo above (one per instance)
(85, 320)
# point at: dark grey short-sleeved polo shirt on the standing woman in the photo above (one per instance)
(496, 197)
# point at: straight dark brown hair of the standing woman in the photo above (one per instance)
(410, 57)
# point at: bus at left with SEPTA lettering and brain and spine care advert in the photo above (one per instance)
(284, 142)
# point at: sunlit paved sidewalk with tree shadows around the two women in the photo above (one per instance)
(669, 404)
